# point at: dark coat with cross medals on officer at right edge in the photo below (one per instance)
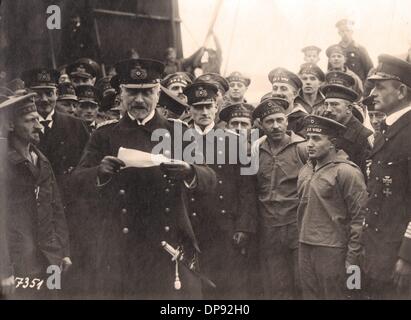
(387, 230)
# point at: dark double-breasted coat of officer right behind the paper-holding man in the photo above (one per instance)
(230, 208)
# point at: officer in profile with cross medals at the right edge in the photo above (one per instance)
(387, 226)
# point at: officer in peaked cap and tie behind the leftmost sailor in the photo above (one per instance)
(62, 141)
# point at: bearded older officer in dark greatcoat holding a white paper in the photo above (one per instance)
(144, 208)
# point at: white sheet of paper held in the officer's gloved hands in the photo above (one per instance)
(140, 159)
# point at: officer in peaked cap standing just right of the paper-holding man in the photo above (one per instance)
(224, 220)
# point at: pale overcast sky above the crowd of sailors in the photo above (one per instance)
(265, 34)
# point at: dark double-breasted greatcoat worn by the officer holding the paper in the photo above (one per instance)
(142, 208)
